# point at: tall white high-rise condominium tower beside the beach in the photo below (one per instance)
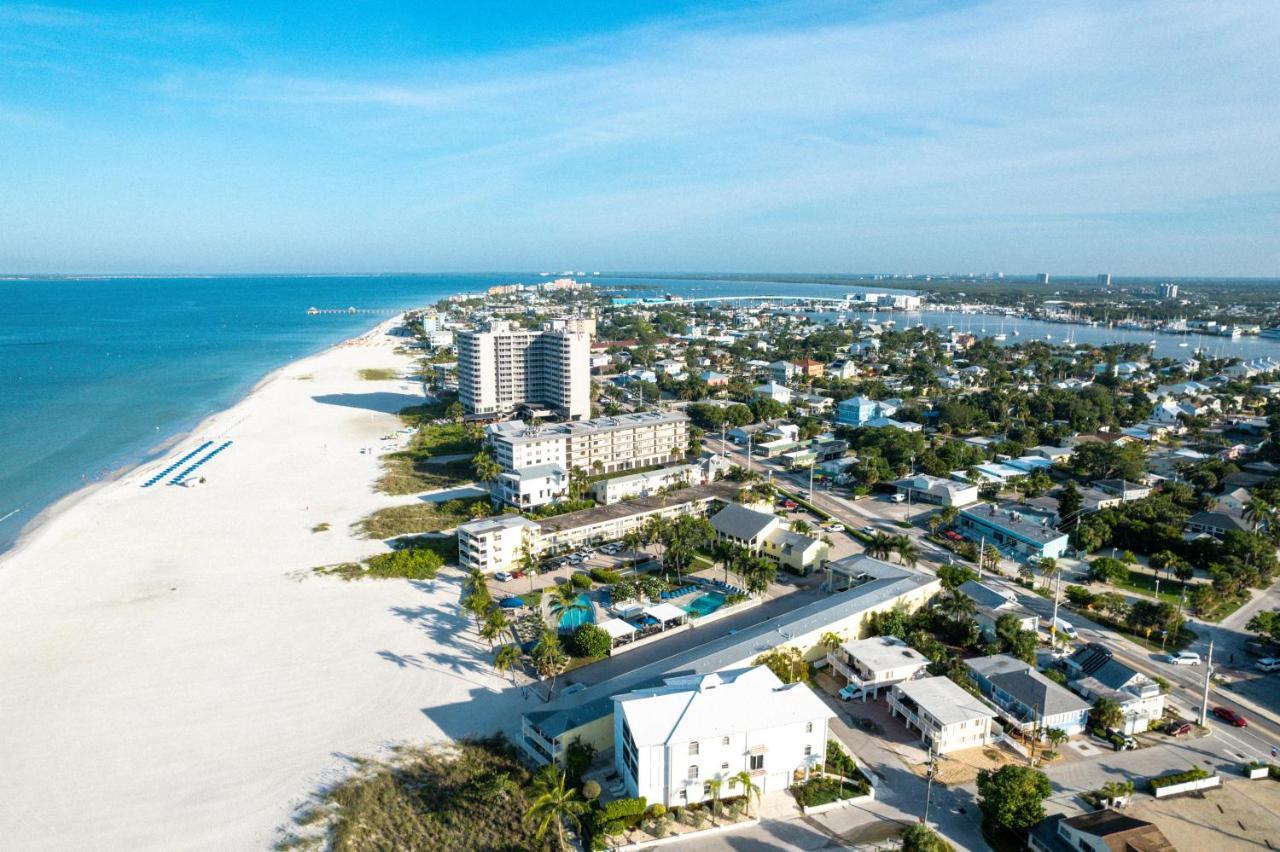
(502, 368)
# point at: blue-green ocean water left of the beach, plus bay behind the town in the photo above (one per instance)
(103, 374)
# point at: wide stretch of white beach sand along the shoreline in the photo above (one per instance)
(173, 675)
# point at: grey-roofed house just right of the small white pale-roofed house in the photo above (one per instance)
(1026, 699)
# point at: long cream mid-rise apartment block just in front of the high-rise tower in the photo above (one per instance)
(602, 446)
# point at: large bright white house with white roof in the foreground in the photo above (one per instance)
(671, 741)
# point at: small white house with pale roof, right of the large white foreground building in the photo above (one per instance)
(948, 717)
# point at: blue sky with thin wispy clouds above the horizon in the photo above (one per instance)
(1136, 139)
